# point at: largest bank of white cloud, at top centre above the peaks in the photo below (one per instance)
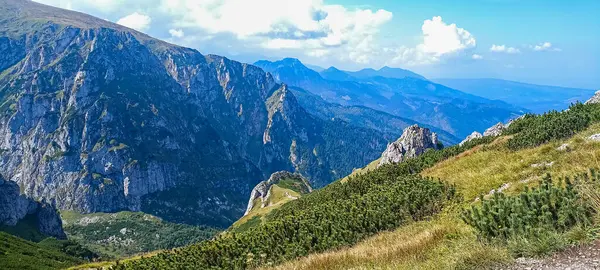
(309, 26)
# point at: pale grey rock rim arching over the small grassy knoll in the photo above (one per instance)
(262, 189)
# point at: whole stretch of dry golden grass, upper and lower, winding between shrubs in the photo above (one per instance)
(446, 242)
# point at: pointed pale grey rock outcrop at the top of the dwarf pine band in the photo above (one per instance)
(413, 142)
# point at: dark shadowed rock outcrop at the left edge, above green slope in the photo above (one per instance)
(15, 207)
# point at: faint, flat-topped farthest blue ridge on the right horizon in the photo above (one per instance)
(537, 98)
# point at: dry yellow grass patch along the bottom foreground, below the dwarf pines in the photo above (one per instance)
(442, 243)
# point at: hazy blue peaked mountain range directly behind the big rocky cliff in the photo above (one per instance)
(422, 101)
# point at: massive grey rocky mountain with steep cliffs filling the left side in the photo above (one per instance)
(100, 118)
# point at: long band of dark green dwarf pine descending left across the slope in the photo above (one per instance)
(339, 215)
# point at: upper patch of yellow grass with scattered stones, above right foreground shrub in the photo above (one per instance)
(489, 167)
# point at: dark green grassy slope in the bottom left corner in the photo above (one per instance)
(17, 253)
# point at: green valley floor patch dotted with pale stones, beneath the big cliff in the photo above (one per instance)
(101, 233)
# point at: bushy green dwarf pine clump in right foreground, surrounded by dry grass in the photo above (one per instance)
(548, 207)
